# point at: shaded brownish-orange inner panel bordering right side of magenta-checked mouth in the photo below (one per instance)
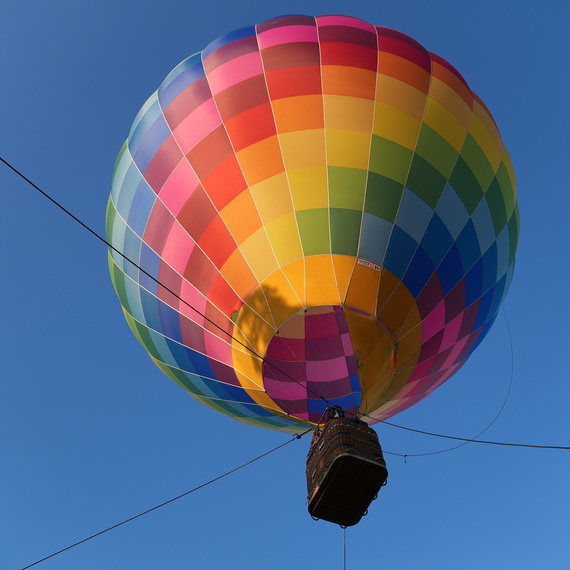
(375, 356)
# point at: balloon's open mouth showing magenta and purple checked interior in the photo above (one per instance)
(310, 364)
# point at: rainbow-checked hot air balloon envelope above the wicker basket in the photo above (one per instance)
(323, 213)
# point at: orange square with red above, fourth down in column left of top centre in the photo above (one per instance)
(301, 113)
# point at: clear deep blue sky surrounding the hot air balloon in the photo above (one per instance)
(92, 433)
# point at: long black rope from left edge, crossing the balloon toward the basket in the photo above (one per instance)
(167, 289)
